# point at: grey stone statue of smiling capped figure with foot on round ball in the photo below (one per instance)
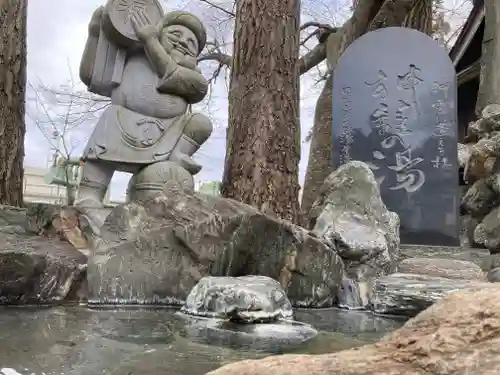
(146, 62)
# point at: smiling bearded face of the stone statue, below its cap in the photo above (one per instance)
(181, 44)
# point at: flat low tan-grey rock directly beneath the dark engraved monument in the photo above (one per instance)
(449, 268)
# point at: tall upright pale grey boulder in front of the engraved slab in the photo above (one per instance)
(352, 217)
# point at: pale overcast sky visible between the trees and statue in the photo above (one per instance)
(57, 31)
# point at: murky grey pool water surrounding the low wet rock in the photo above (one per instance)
(75, 340)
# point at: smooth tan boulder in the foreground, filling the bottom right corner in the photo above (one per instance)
(458, 335)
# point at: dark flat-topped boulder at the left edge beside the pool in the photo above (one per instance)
(38, 270)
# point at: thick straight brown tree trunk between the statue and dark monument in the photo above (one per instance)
(261, 166)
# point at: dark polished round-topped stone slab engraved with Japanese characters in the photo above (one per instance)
(394, 107)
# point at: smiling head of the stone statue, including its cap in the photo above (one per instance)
(183, 36)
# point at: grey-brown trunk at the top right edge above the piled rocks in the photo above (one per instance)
(489, 87)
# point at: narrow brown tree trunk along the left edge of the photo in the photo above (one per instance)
(13, 14)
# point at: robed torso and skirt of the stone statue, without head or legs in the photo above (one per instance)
(147, 116)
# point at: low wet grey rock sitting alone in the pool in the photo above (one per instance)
(244, 299)
